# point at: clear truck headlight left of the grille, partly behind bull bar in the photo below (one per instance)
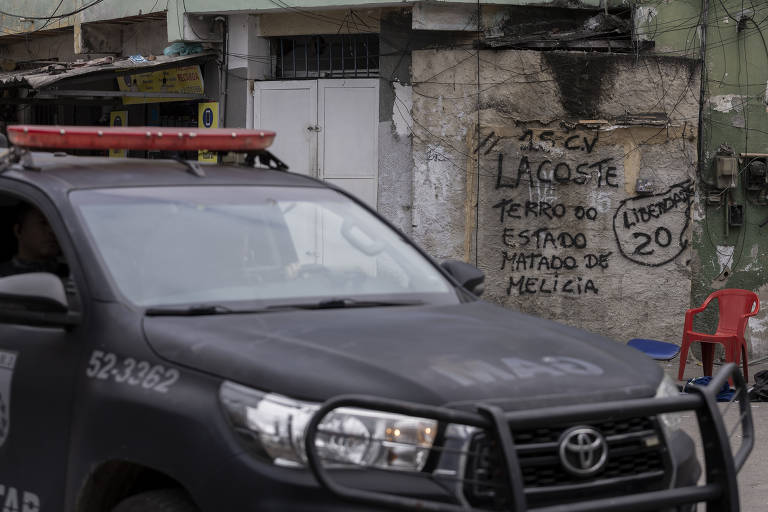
(276, 427)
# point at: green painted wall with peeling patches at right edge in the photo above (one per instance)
(735, 112)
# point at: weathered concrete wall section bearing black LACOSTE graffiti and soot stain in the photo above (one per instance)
(552, 214)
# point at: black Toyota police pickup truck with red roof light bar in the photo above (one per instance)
(178, 337)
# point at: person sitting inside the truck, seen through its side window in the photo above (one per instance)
(37, 249)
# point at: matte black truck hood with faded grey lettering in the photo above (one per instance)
(455, 355)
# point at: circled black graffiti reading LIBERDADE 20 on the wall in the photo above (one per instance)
(652, 230)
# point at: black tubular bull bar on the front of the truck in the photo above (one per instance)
(720, 490)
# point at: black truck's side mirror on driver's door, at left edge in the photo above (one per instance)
(35, 298)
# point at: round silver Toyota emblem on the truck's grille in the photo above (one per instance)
(583, 451)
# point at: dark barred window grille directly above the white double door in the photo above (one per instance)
(330, 56)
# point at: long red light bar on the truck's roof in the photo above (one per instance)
(153, 138)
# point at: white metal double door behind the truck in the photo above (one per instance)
(325, 128)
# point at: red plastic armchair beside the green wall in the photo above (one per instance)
(736, 306)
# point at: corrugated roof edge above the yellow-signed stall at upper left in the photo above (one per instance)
(41, 78)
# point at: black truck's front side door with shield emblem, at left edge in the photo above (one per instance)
(37, 376)
